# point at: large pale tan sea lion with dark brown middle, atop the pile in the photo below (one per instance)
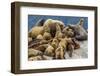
(52, 26)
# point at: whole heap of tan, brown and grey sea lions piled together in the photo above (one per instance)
(51, 39)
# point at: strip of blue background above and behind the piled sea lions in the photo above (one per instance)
(33, 19)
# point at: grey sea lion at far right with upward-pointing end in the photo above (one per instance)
(79, 31)
